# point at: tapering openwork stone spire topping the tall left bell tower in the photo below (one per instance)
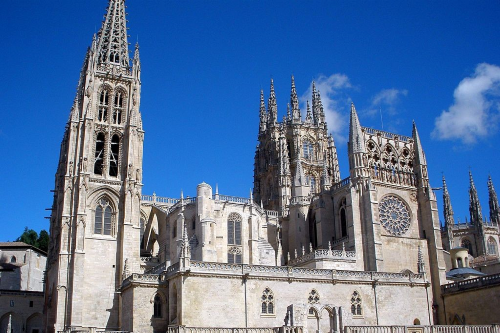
(112, 45)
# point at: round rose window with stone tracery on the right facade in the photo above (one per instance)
(394, 215)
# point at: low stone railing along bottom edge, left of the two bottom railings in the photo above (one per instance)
(283, 329)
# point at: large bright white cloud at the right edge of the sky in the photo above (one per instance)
(475, 111)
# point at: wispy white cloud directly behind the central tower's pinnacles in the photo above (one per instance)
(334, 100)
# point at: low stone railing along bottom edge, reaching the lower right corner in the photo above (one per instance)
(495, 328)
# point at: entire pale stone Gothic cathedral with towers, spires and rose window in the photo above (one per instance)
(307, 251)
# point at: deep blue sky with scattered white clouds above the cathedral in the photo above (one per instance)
(204, 63)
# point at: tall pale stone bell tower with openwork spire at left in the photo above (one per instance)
(94, 226)
